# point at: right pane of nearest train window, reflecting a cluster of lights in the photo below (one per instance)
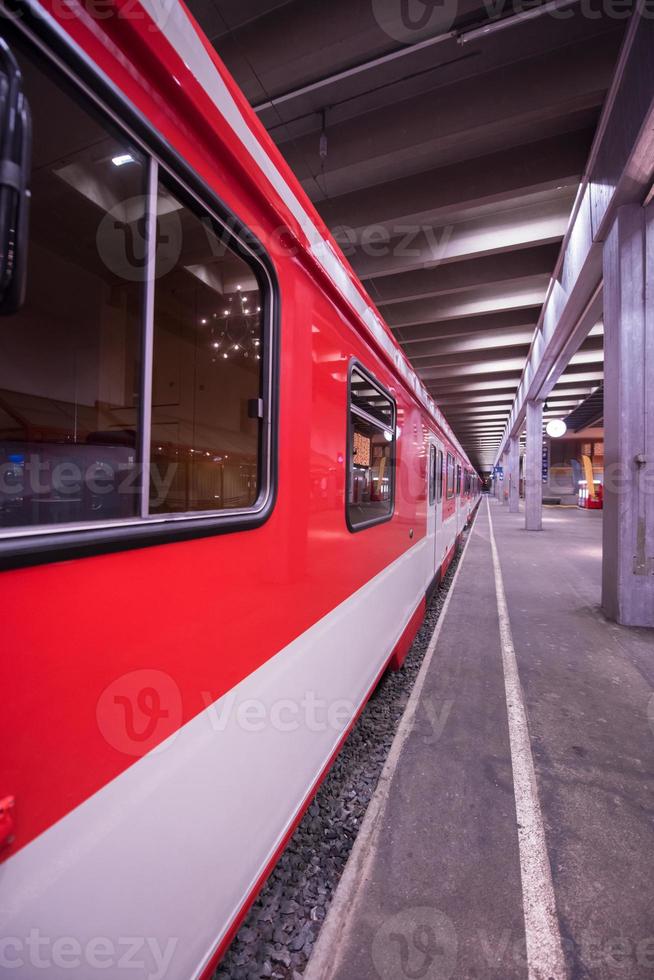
(207, 368)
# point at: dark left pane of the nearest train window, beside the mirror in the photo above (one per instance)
(70, 356)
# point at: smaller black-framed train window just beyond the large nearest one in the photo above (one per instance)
(371, 452)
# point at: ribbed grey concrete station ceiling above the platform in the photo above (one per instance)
(448, 169)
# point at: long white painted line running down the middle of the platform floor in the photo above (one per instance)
(545, 960)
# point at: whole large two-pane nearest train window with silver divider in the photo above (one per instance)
(135, 377)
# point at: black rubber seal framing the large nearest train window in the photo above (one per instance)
(28, 25)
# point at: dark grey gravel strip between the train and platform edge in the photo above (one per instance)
(280, 930)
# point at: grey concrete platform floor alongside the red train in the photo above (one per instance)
(434, 887)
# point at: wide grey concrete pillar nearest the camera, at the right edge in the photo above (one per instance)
(628, 559)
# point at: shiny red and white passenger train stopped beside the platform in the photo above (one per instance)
(224, 494)
